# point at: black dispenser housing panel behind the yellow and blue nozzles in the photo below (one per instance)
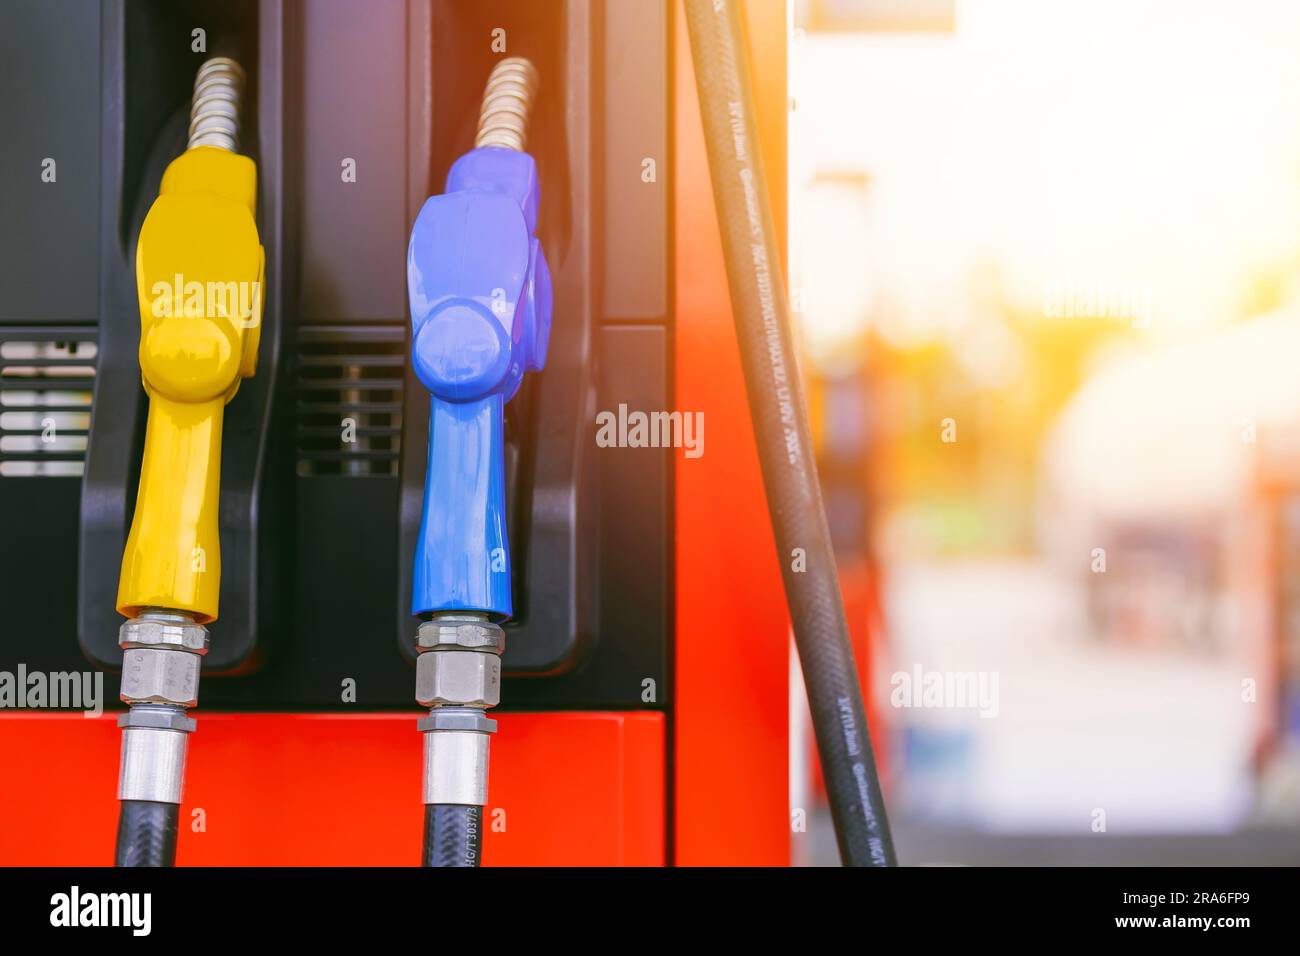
(317, 534)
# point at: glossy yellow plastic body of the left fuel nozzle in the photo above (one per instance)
(198, 271)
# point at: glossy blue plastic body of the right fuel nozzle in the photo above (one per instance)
(480, 319)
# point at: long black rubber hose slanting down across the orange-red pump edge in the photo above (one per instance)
(782, 432)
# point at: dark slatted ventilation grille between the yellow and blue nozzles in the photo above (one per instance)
(350, 400)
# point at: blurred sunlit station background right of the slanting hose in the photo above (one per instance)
(1046, 258)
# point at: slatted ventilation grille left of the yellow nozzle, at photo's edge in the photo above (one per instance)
(47, 380)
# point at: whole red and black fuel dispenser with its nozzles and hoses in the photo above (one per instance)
(409, 185)
